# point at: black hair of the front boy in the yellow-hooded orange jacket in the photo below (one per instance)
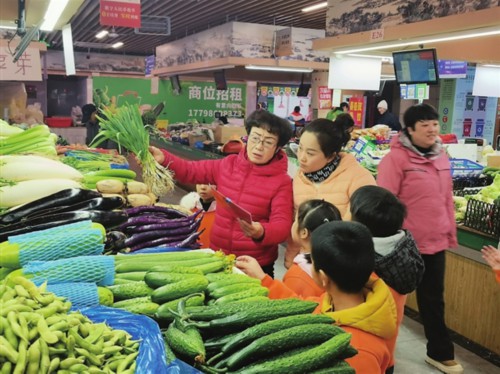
(344, 252)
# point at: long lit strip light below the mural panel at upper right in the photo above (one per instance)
(487, 31)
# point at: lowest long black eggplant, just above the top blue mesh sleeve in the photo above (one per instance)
(109, 219)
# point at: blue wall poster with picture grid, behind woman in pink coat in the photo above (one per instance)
(467, 116)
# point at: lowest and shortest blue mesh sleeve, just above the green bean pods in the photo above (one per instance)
(81, 295)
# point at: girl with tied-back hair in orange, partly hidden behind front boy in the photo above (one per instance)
(310, 215)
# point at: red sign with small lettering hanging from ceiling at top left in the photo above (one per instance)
(125, 13)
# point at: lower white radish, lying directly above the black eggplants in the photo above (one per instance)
(27, 191)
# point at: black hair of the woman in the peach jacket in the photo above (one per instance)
(331, 135)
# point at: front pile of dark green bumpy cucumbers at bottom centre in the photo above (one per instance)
(268, 336)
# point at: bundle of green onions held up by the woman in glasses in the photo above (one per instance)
(125, 127)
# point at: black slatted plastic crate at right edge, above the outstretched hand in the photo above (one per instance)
(483, 217)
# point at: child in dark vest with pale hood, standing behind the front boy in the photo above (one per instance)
(397, 259)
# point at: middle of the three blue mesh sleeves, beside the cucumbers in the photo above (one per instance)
(96, 269)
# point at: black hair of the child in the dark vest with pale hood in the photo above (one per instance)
(378, 209)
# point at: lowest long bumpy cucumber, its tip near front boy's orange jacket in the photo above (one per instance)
(303, 362)
